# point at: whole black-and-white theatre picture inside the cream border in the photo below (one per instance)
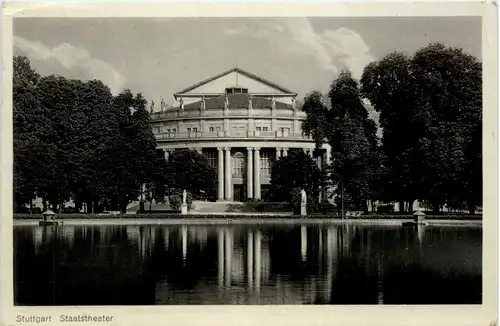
(204, 161)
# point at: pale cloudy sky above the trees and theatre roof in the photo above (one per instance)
(160, 56)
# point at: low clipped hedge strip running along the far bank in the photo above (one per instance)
(232, 217)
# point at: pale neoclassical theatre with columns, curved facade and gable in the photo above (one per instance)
(241, 123)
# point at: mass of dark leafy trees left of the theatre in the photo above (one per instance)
(74, 140)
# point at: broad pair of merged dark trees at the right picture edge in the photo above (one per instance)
(430, 112)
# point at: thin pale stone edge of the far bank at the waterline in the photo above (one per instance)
(244, 221)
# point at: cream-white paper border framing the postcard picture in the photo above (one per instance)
(484, 314)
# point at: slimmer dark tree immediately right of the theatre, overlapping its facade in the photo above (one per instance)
(352, 135)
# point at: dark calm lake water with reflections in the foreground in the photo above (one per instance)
(342, 264)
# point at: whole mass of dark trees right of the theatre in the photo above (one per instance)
(430, 107)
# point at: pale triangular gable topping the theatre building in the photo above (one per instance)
(235, 77)
